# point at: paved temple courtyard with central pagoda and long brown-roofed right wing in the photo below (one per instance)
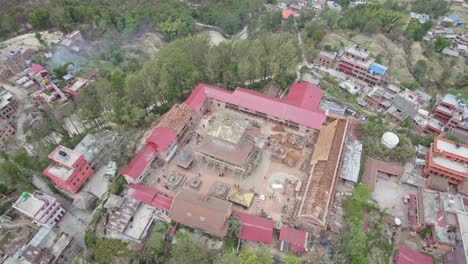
(276, 169)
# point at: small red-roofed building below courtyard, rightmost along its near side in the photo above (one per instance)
(293, 239)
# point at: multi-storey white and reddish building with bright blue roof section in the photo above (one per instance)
(356, 62)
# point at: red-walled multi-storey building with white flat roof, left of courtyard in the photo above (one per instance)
(69, 169)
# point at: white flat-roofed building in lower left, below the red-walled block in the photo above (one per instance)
(42, 208)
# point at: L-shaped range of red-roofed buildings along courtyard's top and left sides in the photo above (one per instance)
(299, 110)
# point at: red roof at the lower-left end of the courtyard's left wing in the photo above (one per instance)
(140, 162)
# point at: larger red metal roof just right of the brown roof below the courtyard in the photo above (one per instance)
(255, 228)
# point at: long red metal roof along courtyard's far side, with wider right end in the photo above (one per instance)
(303, 111)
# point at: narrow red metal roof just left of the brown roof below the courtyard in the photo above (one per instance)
(149, 196)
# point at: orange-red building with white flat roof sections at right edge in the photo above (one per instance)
(447, 159)
